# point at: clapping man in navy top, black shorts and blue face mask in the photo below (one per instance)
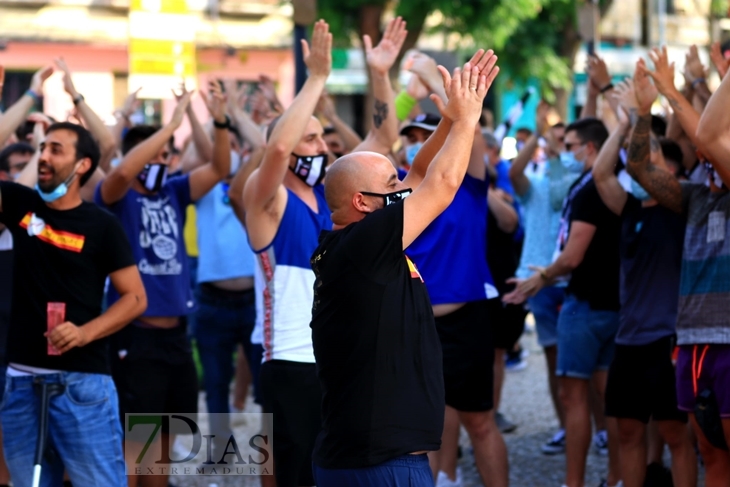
(641, 380)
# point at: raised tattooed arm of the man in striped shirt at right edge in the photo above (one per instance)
(659, 182)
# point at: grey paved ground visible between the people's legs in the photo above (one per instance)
(525, 402)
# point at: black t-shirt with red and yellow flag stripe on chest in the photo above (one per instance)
(59, 256)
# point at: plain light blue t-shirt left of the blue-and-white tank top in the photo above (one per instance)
(224, 252)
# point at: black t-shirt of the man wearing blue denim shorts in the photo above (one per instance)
(596, 278)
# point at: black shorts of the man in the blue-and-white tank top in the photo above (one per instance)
(291, 392)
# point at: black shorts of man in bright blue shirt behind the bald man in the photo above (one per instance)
(468, 351)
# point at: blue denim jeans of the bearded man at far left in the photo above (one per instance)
(84, 432)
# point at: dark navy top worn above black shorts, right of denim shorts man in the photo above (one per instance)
(652, 239)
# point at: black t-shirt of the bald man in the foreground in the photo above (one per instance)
(375, 343)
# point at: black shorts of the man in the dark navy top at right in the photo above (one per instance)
(642, 383)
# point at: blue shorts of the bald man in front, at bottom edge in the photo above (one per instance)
(404, 471)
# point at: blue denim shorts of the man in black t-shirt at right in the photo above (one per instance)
(585, 339)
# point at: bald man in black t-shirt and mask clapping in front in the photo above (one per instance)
(375, 342)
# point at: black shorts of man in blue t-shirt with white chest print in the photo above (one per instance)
(154, 371)
